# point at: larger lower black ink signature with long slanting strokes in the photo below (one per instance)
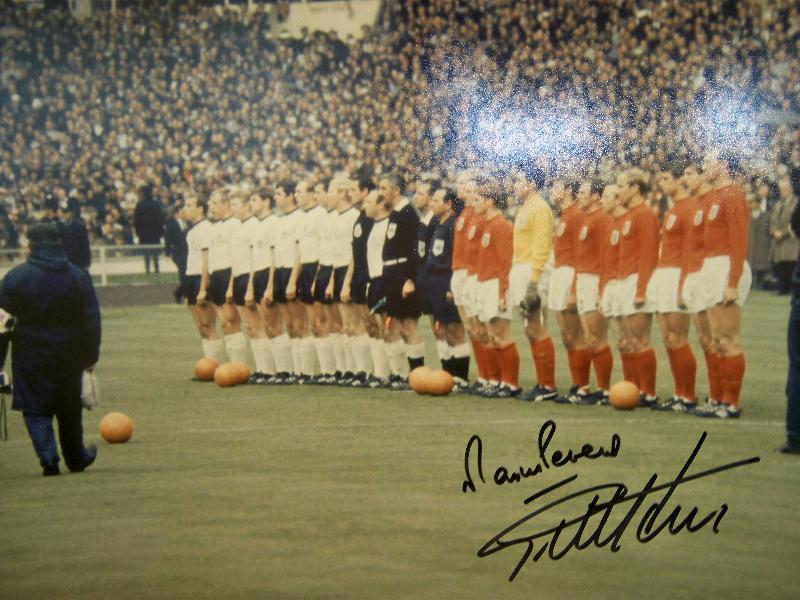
(583, 538)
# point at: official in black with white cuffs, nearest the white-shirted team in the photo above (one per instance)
(401, 261)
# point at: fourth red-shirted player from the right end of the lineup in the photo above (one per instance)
(638, 259)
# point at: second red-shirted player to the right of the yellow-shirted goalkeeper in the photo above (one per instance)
(590, 249)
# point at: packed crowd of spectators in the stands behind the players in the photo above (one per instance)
(168, 93)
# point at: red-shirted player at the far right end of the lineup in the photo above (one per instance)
(726, 279)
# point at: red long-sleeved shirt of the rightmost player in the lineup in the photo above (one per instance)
(726, 228)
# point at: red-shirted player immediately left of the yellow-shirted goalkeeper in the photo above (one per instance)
(491, 305)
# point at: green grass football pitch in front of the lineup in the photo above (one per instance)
(320, 492)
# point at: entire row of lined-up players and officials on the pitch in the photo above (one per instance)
(338, 273)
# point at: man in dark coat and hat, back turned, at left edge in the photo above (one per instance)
(52, 321)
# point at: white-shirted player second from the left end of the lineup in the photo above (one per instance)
(216, 288)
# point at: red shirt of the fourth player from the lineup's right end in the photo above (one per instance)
(639, 246)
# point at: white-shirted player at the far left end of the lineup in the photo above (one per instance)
(198, 240)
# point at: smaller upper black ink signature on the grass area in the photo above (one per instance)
(502, 475)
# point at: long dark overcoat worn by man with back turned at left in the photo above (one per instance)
(57, 332)
